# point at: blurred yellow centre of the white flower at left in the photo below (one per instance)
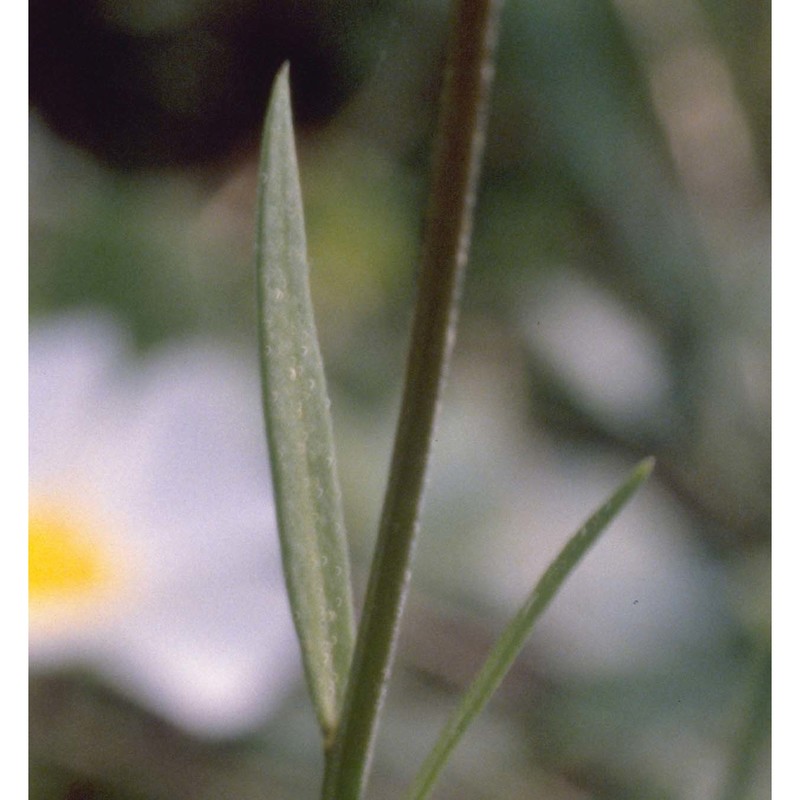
(72, 564)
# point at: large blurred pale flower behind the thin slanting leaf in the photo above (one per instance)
(642, 598)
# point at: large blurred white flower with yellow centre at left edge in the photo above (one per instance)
(153, 549)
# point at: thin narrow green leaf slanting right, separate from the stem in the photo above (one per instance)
(510, 643)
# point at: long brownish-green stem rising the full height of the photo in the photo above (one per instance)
(460, 138)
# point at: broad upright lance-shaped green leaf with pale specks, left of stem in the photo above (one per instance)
(299, 431)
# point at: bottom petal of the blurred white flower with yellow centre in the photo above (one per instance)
(216, 661)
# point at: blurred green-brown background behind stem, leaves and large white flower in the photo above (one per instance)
(617, 304)
